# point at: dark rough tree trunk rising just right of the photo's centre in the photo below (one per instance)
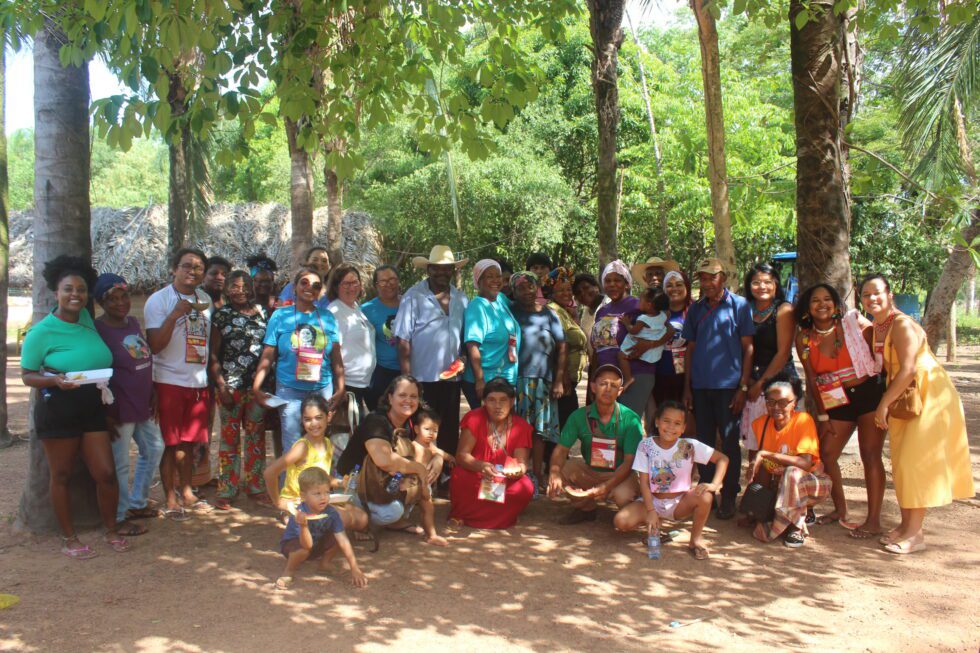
(605, 24)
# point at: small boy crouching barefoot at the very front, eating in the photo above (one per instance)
(316, 531)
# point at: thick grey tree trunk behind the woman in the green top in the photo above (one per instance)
(61, 226)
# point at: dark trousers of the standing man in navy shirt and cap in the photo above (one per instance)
(714, 419)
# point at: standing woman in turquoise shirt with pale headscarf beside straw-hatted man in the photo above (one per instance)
(490, 333)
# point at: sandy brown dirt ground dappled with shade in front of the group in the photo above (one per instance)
(206, 585)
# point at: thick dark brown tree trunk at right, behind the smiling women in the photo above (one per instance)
(823, 214)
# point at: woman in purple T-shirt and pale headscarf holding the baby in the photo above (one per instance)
(608, 334)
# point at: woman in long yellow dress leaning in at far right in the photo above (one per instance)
(930, 452)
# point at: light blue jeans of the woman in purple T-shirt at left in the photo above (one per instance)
(149, 443)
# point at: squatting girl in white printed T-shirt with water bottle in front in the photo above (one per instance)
(665, 463)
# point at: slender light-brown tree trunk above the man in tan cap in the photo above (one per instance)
(715, 123)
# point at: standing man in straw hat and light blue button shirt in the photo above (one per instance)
(429, 328)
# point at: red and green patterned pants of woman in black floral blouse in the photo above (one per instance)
(244, 417)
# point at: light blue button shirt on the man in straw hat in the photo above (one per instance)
(436, 338)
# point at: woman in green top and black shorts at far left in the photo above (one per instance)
(69, 418)
